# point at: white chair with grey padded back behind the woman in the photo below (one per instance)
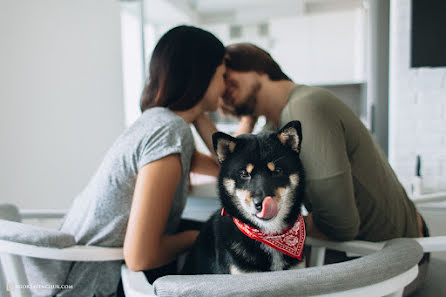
(18, 239)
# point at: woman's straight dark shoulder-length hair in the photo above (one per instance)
(181, 68)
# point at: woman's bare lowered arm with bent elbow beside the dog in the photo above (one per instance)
(145, 244)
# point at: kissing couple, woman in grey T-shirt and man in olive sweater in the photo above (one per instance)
(138, 193)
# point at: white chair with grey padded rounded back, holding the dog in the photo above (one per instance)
(384, 271)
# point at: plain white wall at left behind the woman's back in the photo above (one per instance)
(61, 101)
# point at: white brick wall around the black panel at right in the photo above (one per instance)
(417, 107)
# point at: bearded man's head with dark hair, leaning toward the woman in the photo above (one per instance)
(245, 64)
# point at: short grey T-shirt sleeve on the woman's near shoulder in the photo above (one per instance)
(173, 138)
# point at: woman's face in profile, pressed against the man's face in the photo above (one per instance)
(215, 90)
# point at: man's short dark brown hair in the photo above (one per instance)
(248, 57)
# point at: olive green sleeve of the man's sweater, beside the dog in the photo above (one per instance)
(329, 182)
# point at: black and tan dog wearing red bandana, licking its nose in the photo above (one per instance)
(260, 185)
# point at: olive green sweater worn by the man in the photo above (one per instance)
(351, 189)
